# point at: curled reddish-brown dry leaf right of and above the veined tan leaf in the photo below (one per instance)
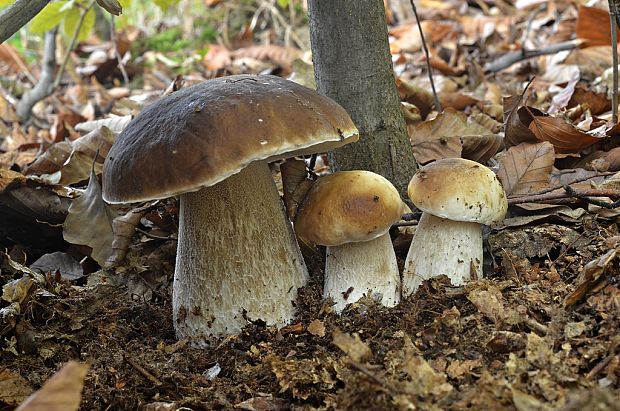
(564, 137)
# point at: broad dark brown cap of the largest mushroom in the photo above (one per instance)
(199, 136)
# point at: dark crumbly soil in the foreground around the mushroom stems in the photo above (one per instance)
(512, 341)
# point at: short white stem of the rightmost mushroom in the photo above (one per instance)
(442, 246)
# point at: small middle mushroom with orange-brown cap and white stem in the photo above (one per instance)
(351, 212)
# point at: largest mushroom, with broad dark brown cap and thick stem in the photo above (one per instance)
(237, 257)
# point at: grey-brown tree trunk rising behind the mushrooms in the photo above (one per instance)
(353, 66)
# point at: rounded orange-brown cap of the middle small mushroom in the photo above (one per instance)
(347, 207)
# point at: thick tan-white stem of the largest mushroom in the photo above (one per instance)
(237, 258)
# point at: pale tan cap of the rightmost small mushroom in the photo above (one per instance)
(459, 190)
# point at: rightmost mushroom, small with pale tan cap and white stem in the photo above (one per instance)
(456, 196)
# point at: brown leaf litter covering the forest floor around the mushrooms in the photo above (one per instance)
(539, 332)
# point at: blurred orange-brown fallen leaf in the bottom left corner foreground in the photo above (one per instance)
(62, 392)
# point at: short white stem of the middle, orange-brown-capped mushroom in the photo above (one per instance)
(353, 270)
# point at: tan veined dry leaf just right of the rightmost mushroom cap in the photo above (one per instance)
(526, 168)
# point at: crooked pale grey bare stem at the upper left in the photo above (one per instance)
(44, 86)
